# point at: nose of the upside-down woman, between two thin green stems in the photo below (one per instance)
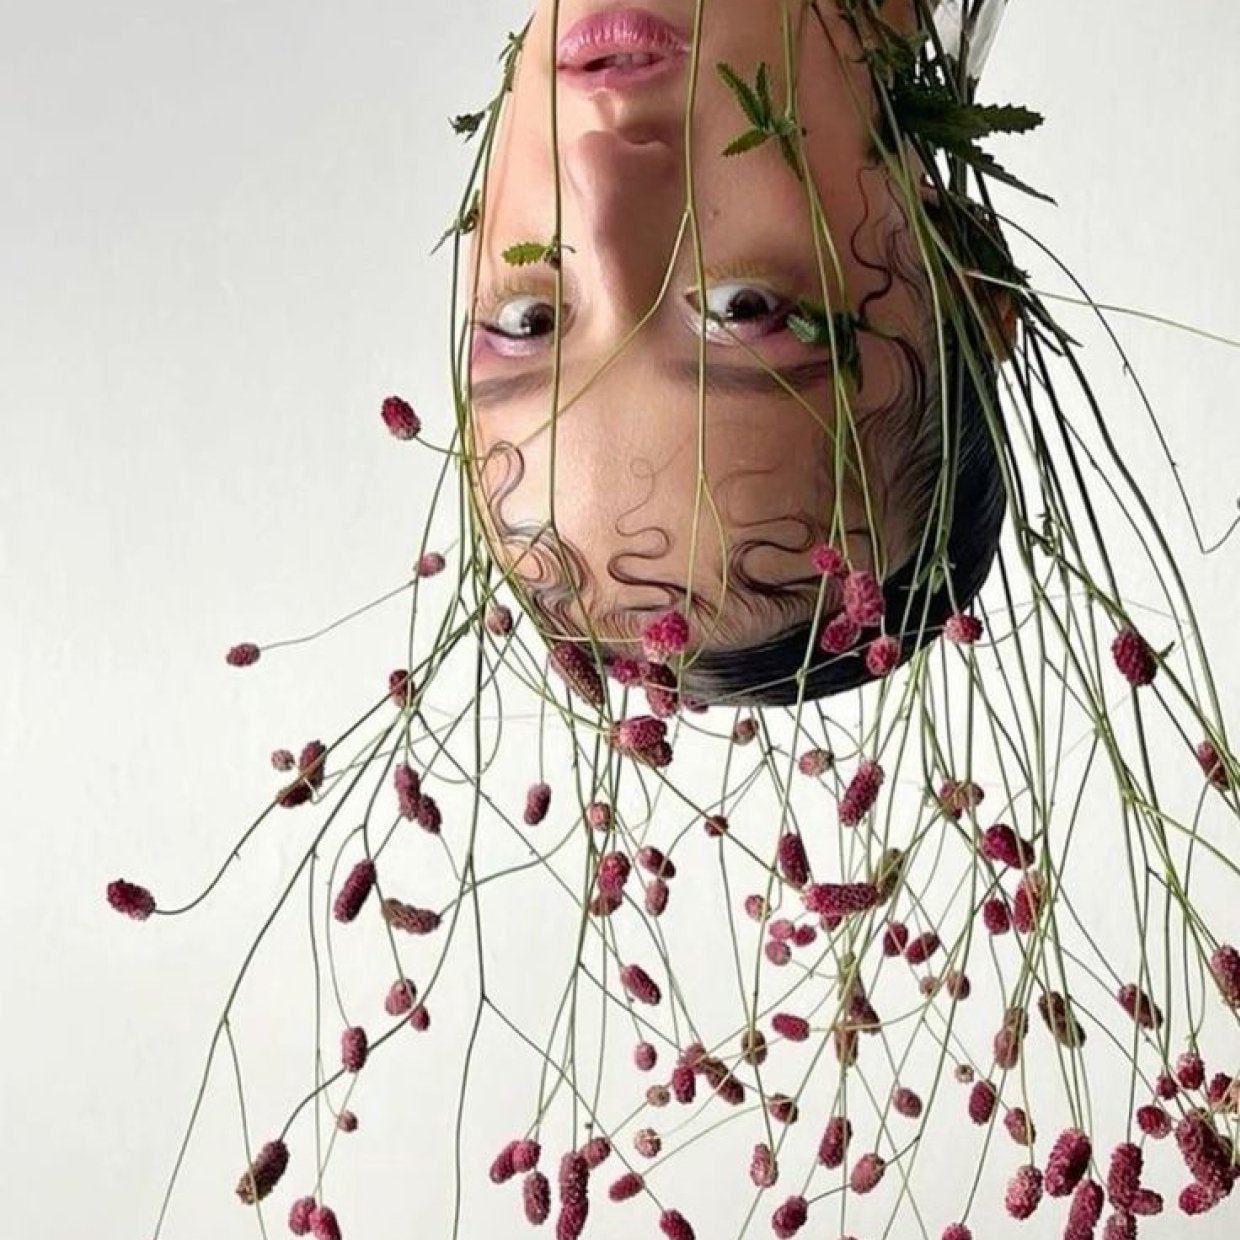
(627, 193)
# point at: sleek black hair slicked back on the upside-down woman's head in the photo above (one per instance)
(772, 673)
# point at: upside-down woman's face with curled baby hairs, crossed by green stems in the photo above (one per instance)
(647, 490)
